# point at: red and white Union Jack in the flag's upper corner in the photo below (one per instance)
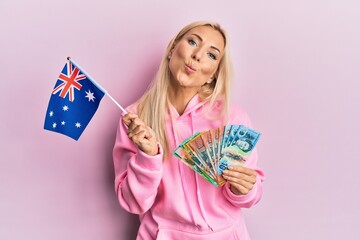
(70, 79)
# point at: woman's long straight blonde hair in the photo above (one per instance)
(153, 105)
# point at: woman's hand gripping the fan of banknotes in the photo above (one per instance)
(241, 179)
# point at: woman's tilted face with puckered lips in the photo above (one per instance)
(195, 58)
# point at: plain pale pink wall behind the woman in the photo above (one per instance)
(297, 68)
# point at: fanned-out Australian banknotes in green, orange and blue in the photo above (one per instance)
(210, 152)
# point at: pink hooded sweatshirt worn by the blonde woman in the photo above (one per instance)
(173, 201)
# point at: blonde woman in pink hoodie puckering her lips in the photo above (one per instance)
(189, 94)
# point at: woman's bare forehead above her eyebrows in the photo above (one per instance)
(209, 36)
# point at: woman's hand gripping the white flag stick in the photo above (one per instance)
(141, 134)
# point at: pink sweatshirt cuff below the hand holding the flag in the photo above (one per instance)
(150, 162)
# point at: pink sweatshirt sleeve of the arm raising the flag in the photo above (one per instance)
(137, 175)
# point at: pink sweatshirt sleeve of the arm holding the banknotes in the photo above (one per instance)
(254, 195)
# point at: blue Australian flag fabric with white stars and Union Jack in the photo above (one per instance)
(73, 102)
